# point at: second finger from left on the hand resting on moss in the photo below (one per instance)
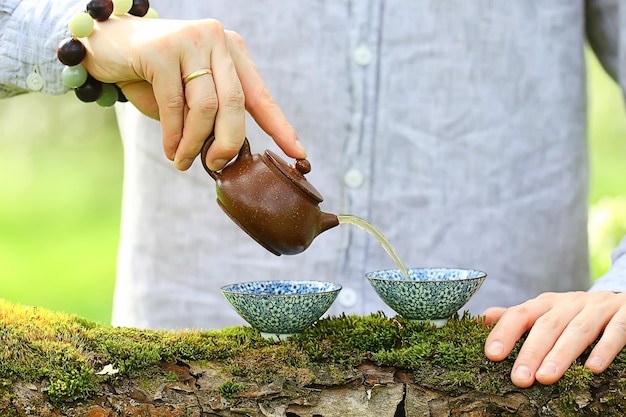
(541, 339)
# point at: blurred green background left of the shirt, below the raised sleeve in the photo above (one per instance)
(60, 192)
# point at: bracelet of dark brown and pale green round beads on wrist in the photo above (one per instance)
(71, 51)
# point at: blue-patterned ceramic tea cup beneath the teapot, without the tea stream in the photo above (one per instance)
(279, 309)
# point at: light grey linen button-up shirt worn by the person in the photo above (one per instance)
(457, 128)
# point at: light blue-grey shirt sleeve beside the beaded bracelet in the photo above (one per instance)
(30, 31)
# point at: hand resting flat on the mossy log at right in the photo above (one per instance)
(561, 326)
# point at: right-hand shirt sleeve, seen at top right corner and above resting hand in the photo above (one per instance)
(606, 32)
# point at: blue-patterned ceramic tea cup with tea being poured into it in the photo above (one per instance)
(430, 294)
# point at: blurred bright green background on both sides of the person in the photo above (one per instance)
(60, 190)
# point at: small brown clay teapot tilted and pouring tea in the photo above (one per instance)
(270, 200)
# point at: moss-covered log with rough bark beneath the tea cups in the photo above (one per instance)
(56, 364)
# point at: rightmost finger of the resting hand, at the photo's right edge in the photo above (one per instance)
(610, 344)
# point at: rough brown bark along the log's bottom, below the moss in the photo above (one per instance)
(366, 390)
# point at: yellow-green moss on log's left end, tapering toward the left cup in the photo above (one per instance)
(67, 351)
